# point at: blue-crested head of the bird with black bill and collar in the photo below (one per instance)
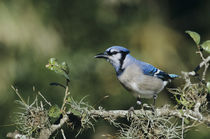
(115, 55)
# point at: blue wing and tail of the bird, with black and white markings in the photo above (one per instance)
(152, 71)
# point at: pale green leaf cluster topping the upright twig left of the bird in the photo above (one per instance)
(62, 68)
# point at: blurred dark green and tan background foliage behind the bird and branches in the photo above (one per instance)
(32, 31)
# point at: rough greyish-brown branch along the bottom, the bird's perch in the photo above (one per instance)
(194, 115)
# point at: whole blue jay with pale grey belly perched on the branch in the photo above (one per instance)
(141, 78)
